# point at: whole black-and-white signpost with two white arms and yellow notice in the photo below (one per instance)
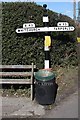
(30, 27)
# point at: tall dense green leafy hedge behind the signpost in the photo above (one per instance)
(27, 48)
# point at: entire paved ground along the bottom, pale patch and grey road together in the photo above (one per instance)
(24, 107)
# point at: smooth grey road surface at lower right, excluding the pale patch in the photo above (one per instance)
(66, 109)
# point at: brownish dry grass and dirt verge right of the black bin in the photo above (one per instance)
(67, 81)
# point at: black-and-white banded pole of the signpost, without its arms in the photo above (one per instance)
(47, 41)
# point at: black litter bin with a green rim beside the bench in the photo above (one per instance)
(45, 87)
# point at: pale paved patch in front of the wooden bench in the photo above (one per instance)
(20, 107)
